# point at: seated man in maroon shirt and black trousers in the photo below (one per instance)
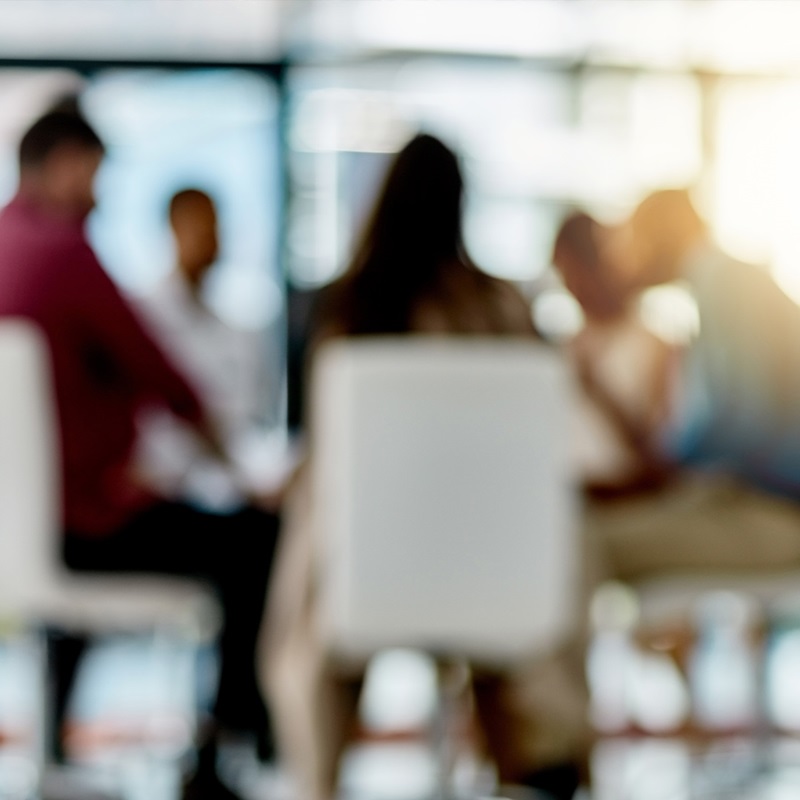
(106, 368)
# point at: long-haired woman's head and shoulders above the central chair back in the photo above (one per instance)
(411, 272)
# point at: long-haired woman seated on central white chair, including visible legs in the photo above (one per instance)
(410, 274)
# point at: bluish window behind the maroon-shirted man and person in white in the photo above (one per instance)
(214, 129)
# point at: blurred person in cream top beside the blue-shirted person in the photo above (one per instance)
(623, 367)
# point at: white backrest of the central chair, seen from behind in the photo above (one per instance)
(443, 496)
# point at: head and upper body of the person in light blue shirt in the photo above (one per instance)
(740, 376)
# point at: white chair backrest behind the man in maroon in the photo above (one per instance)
(29, 466)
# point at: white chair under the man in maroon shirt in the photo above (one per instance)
(35, 587)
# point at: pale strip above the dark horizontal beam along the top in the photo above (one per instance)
(742, 36)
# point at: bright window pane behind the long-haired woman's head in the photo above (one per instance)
(345, 123)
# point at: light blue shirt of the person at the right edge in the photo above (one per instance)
(739, 407)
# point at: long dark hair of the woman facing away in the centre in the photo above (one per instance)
(414, 231)
